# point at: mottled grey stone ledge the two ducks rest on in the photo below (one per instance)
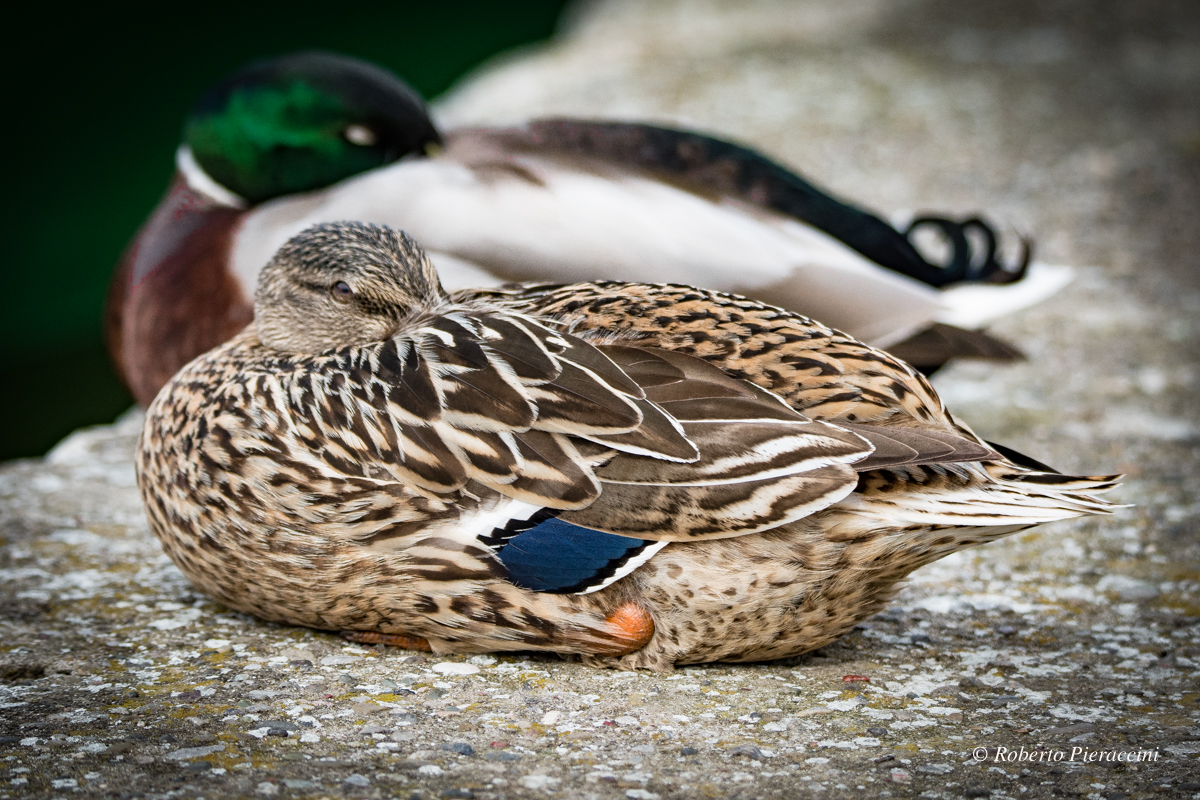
(1078, 122)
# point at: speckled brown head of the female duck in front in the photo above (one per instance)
(341, 285)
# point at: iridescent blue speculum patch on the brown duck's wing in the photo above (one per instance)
(561, 558)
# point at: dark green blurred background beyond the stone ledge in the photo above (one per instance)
(95, 101)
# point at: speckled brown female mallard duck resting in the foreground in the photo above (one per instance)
(645, 476)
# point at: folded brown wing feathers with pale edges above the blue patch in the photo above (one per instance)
(676, 448)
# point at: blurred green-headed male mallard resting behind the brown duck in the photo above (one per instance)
(311, 139)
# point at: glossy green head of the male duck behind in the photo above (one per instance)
(303, 122)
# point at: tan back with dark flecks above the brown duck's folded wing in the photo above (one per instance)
(821, 372)
